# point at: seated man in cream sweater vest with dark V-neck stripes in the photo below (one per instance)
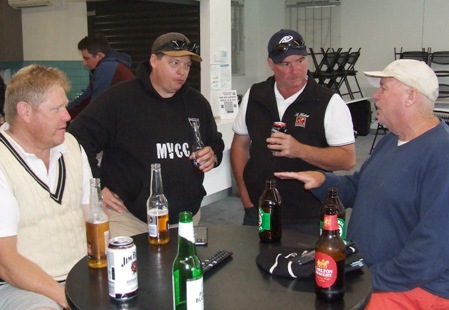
(44, 187)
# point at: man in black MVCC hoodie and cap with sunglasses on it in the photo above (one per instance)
(149, 120)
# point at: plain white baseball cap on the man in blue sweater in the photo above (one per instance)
(413, 73)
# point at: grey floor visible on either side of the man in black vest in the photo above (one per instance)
(229, 210)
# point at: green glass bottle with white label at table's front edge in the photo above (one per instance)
(187, 269)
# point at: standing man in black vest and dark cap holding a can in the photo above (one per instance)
(319, 134)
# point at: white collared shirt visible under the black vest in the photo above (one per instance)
(337, 118)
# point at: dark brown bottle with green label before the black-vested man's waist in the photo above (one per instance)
(270, 213)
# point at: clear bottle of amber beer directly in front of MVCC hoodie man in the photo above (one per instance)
(157, 209)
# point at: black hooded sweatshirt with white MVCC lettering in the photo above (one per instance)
(134, 127)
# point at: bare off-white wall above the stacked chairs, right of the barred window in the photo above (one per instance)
(380, 26)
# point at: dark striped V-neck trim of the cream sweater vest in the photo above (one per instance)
(57, 196)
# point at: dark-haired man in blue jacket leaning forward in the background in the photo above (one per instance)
(107, 67)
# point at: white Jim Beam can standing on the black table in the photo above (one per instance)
(122, 268)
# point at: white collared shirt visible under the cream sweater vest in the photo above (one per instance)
(9, 209)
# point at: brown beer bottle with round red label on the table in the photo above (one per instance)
(330, 259)
